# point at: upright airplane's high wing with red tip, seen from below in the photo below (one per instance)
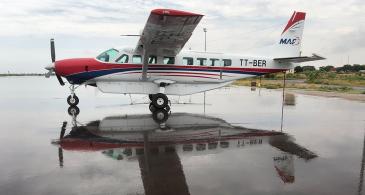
(167, 31)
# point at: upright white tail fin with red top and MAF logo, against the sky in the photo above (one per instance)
(290, 41)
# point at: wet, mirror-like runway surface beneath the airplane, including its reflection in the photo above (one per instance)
(235, 146)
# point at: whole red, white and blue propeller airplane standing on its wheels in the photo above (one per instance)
(158, 66)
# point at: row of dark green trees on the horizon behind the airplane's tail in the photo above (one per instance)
(347, 68)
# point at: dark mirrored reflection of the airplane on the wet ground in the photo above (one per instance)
(158, 145)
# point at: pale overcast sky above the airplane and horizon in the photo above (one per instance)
(85, 28)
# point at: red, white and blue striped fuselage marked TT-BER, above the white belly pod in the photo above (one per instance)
(188, 67)
